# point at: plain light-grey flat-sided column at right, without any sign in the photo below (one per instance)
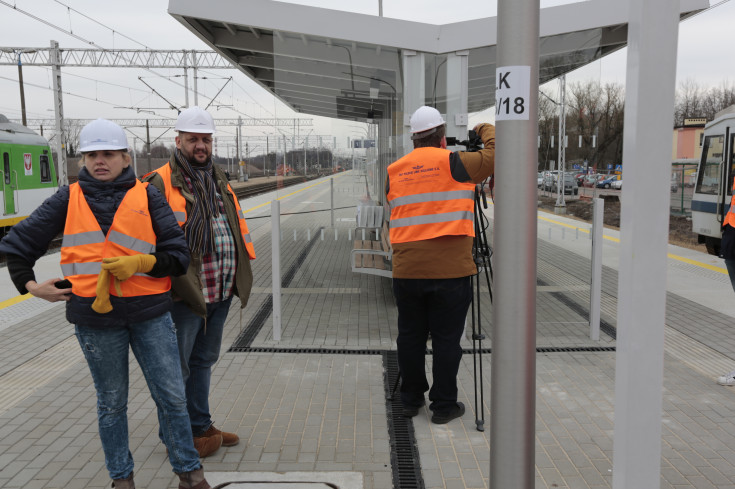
(649, 115)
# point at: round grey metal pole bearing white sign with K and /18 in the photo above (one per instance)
(513, 383)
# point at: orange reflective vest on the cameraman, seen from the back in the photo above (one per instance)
(425, 201)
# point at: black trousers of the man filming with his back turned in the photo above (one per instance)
(439, 307)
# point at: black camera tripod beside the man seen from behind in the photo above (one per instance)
(481, 254)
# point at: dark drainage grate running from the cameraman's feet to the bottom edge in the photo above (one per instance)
(404, 453)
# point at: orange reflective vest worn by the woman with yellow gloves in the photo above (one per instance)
(84, 246)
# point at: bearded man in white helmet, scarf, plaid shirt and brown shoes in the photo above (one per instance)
(221, 249)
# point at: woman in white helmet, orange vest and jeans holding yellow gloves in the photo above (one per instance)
(121, 244)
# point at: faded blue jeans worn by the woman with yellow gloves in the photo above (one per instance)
(154, 345)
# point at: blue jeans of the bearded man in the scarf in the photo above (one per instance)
(199, 344)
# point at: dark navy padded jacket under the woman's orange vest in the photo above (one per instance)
(29, 239)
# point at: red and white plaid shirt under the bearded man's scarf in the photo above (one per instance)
(218, 268)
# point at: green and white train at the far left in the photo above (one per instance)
(27, 172)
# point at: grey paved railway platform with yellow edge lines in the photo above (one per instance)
(311, 408)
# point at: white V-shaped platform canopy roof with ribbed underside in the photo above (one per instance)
(344, 65)
